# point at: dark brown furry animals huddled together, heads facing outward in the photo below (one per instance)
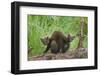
(57, 43)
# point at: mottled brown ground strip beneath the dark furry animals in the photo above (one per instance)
(71, 54)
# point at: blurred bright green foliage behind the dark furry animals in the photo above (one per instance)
(41, 26)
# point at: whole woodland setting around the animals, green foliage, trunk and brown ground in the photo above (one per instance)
(42, 26)
